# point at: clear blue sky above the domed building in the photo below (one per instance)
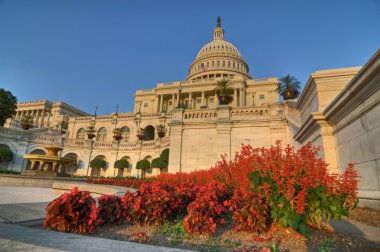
(99, 52)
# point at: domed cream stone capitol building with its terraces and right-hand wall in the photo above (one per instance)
(338, 110)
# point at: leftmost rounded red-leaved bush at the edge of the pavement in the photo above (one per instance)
(72, 212)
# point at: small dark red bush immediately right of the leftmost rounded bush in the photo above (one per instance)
(109, 210)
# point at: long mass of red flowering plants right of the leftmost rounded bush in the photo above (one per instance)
(260, 185)
